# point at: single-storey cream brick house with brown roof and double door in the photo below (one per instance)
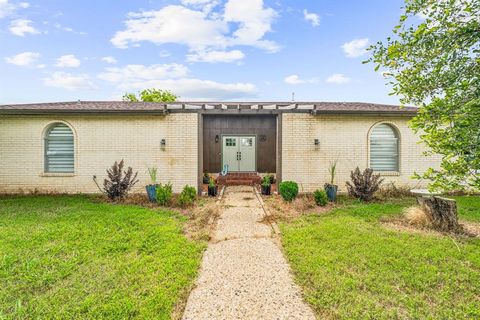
(59, 147)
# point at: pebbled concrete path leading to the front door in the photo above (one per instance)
(244, 274)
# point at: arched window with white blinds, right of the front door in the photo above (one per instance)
(384, 148)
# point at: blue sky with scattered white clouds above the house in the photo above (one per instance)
(200, 49)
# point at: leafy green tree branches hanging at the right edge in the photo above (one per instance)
(432, 59)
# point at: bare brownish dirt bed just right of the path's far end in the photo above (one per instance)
(282, 210)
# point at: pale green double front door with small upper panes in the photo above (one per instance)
(239, 153)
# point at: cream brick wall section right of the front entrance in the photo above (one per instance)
(344, 138)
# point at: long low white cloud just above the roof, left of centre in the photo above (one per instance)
(174, 77)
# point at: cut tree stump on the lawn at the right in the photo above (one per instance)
(442, 213)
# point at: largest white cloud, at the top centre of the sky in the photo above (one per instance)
(243, 22)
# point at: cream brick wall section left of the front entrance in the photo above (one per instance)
(99, 141)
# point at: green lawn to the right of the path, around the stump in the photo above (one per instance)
(351, 267)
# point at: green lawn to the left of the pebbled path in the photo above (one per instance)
(69, 257)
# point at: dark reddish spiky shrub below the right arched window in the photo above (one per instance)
(364, 185)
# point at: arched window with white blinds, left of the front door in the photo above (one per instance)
(59, 149)
